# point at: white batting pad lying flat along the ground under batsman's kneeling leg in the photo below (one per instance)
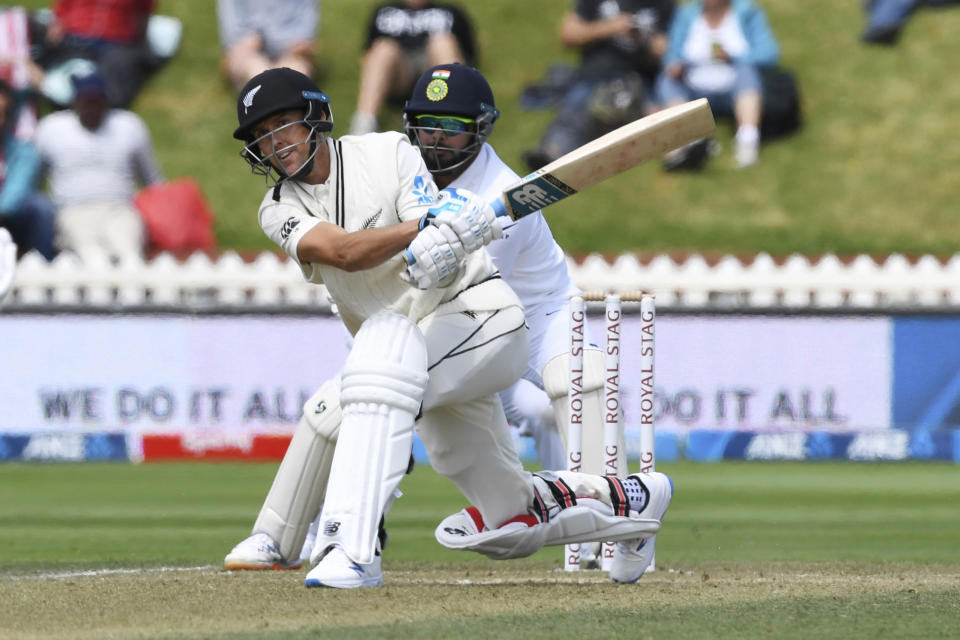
(587, 521)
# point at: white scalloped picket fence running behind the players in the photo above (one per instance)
(270, 281)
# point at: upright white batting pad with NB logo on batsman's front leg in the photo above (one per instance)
(383, 383)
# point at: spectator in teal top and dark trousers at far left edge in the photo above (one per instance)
(27, 214)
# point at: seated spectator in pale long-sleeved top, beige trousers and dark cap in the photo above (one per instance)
(93, 158)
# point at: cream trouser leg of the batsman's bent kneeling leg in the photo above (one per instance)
(471, 357)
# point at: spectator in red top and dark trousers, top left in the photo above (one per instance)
(110, 35)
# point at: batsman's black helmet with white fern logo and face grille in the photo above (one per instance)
(271, 92)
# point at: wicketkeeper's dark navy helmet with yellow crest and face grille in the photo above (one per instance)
(450, 90)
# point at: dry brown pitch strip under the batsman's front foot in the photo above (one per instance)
(208, 602)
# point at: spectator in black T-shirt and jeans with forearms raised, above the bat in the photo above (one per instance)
(621, 44)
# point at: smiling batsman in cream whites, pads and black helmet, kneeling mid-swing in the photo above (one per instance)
(436, 336)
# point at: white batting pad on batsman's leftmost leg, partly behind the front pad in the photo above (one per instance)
(301, 481)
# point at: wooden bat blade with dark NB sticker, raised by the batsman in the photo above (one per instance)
(607, 156)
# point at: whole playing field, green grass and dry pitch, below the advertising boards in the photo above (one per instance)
(748, 550)
